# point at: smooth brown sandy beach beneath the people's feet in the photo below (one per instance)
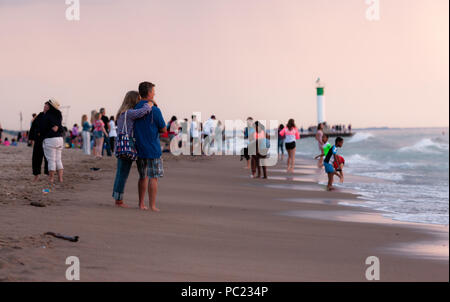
(215, 224)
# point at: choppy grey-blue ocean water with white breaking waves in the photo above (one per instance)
(412, 164)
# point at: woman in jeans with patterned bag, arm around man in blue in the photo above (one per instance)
(125, 150)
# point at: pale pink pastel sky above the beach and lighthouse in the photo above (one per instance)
(233, 58)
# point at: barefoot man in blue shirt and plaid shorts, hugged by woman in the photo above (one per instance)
(146, 132)
